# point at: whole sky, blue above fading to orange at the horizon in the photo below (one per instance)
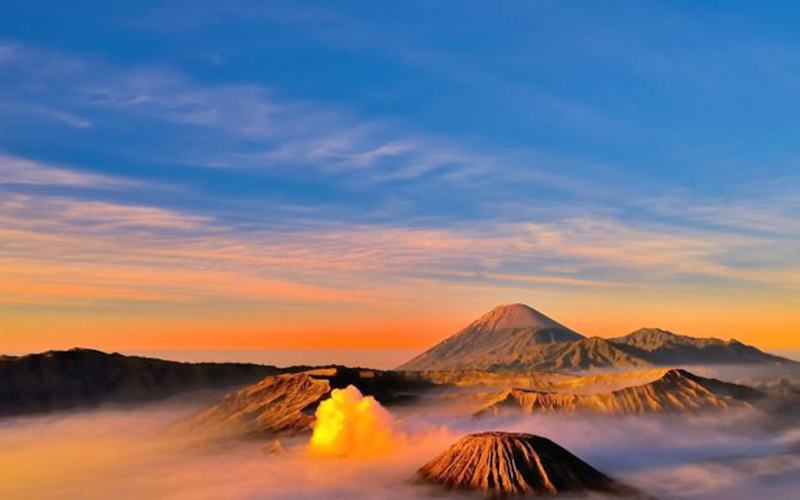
(356, 174)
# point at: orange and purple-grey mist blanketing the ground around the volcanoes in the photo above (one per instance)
(130, 453)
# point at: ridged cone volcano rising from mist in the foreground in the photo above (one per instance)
(501, 464)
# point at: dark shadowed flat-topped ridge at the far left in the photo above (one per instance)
(58, 380)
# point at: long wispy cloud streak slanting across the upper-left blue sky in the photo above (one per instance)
(249, 126)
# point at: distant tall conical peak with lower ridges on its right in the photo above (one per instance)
(517, 337)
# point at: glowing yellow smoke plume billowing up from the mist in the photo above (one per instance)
(350, 424)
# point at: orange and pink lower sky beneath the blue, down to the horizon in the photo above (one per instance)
(185, 283)
